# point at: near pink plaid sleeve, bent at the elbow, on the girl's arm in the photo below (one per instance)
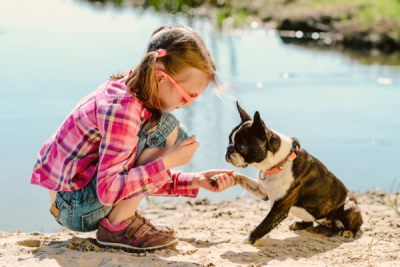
(119, 122)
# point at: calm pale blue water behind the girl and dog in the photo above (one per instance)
(55, 52)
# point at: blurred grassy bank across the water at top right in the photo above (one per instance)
(359, 24)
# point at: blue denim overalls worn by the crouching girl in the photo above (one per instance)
(81, 210)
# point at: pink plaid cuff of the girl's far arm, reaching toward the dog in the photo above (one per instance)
(181, 185)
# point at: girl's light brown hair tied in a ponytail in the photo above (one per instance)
(185, 48)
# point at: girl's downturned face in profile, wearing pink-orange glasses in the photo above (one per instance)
(192, 80)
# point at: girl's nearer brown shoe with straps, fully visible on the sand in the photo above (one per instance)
(132, 235)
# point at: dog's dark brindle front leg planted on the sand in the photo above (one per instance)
(278, 213)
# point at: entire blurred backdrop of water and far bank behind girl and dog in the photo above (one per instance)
(326, 72)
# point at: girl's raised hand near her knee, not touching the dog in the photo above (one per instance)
(181, 153)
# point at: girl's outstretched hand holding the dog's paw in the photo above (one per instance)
(225, 180)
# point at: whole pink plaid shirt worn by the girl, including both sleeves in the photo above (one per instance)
(101, 133)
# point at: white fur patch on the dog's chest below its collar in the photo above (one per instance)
(278, 184)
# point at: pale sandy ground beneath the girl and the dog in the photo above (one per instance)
(211, 234)
